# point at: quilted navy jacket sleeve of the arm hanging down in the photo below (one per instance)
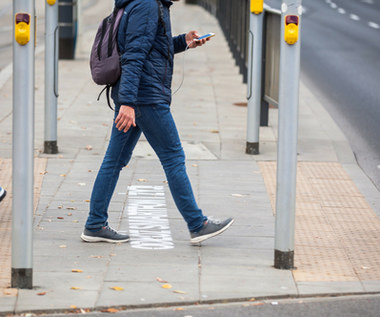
(139, 37)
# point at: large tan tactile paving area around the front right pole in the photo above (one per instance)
(337, 234)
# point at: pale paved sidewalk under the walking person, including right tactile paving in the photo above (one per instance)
(338, 208)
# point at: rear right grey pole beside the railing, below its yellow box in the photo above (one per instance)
(254, 81)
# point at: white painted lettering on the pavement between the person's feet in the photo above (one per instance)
(148, 219)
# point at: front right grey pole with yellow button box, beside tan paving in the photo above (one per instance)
(287, 135)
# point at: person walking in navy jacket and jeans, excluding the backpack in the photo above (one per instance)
(142, 98)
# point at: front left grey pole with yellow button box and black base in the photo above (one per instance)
(23, 143)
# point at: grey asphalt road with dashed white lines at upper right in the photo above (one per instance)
(340, 62)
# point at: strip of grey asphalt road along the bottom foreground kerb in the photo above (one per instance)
(354, 306)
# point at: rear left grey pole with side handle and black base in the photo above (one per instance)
(51, 76)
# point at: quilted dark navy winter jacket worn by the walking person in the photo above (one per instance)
(146, 53)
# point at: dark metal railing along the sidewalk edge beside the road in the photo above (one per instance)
(233, 17)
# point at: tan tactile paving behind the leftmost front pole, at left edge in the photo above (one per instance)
(6, 214)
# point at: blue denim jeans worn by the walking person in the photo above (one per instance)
(157, 124)
